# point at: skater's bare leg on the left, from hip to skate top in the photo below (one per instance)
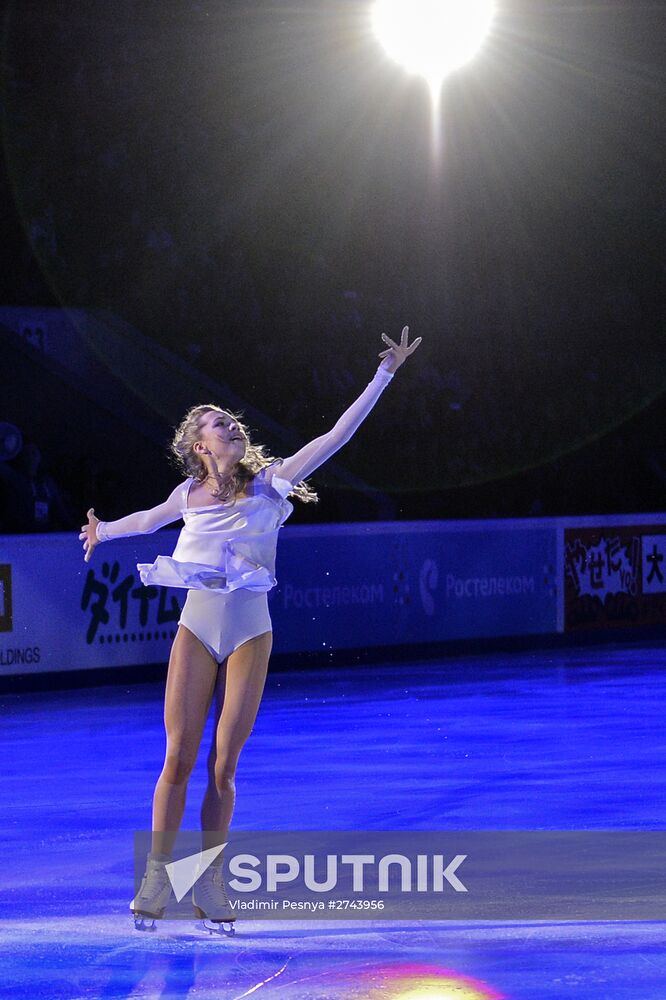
(189, 692)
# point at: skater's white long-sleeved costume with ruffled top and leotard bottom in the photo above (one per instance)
(225, 554)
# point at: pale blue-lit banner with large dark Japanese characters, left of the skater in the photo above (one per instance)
(59, 613)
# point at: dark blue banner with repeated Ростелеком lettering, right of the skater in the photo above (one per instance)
(349, 586)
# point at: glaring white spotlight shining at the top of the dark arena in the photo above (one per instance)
(432, 37)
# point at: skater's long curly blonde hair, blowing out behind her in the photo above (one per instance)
(255, 459)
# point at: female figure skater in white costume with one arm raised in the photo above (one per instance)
(233, 502)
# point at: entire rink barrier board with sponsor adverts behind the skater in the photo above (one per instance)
(351, 586)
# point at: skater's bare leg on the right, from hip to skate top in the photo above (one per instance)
(238, 694)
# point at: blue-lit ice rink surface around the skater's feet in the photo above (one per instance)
(557, 739)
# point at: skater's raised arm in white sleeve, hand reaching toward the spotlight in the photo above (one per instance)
(304, 462)
